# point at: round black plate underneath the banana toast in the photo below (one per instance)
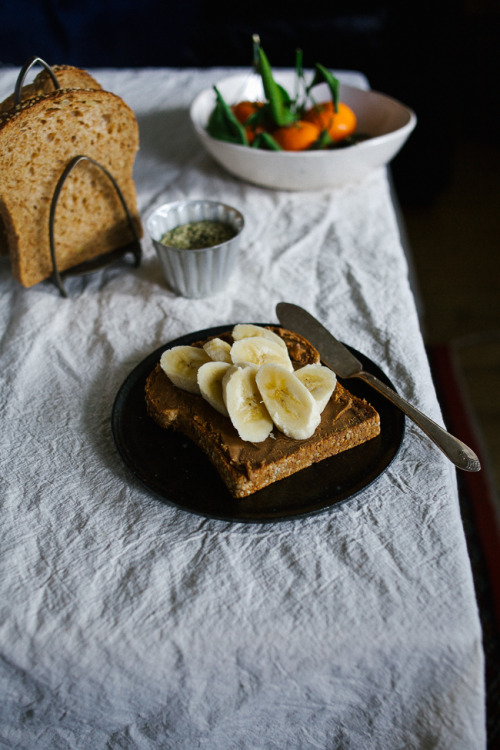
(178, 472)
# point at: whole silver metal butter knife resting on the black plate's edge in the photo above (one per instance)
(339, 359)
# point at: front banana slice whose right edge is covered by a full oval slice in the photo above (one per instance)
(244, 404)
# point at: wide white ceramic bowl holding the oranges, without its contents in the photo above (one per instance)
(387, 121)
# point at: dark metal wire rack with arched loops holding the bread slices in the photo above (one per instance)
(101, 261)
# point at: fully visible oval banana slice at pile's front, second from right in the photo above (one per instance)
(290, 405)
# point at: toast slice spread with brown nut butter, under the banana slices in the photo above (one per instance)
(246, 467)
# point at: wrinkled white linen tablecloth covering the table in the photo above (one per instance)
(129, 623)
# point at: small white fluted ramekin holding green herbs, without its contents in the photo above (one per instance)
(202, 272)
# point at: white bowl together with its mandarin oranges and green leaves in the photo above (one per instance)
(298, 129)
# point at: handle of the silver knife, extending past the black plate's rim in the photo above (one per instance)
(459, 453)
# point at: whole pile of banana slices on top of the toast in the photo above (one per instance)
(253, 382)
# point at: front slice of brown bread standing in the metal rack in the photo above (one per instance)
(37, 141)
